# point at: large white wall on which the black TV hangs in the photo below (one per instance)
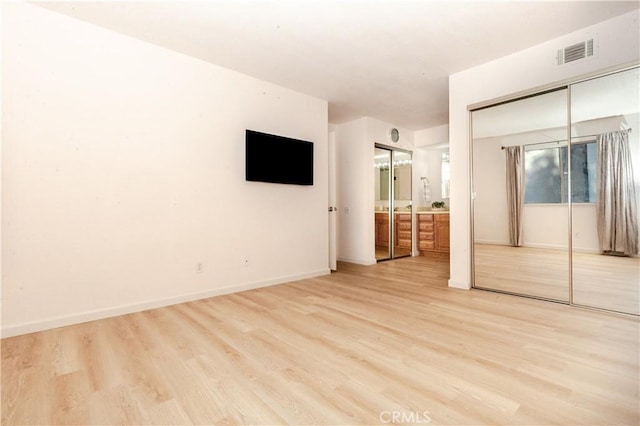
(123, 168)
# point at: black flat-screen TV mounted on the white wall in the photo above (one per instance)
(278, 159)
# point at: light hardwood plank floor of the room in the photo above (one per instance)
(356, 347)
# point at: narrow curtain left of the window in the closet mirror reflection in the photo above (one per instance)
(515, 193)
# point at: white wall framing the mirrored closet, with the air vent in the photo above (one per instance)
(618, 43)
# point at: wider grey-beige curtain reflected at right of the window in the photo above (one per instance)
(616, 196)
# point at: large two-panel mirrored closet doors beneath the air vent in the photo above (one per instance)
(555, 182)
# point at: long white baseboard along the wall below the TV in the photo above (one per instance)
(65, 320)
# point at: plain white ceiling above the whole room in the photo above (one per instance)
(387, 59)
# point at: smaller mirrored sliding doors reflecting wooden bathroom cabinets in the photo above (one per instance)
(393, 207)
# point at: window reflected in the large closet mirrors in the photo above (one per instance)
(546, 171)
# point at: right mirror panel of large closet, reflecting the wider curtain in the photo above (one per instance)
(605, 184)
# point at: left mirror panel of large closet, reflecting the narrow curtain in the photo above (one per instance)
(520, 210)
